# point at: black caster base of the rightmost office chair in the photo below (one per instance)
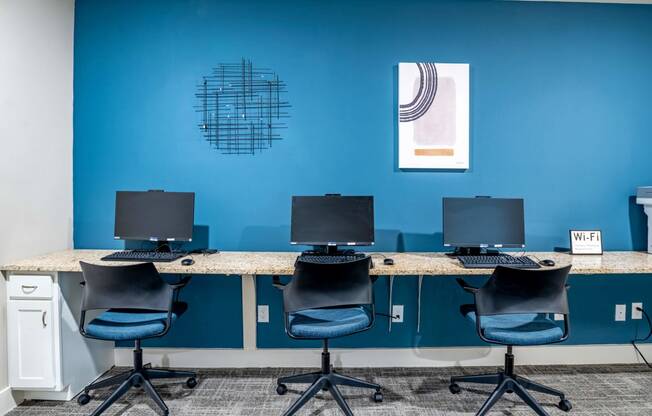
(508, 382)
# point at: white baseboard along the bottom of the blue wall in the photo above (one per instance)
(385, 357)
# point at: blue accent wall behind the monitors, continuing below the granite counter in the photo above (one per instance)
(560, 116)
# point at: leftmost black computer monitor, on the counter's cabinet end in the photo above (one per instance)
(154, 215)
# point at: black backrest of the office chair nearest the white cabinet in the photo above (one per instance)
(137, 286)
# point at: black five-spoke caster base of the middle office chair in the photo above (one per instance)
(326, 379)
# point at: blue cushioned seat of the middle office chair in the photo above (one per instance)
(328, 323)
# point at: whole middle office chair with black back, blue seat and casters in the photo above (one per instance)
(325, 301)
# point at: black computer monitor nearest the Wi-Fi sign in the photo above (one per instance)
(484, 222)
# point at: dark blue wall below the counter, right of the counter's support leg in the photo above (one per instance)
(592, 299)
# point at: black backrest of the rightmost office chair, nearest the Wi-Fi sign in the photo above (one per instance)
(511, 291)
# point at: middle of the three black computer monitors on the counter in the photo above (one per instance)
(332, 220)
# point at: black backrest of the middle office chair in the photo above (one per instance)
(317, 285)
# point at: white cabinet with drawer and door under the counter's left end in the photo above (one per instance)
(48, 358)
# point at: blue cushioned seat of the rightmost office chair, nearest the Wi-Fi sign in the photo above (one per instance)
(519, 329)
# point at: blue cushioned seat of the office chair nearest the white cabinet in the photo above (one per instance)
(127, 325)
